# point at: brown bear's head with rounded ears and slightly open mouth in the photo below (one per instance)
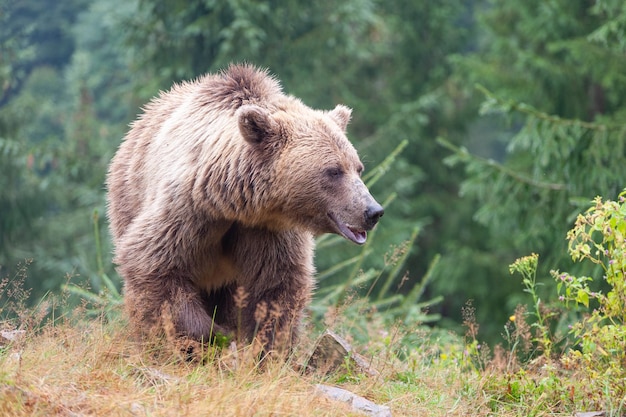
(315, 180)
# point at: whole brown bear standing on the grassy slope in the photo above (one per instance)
(215, 195)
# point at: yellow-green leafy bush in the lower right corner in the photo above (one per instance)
(590, 372)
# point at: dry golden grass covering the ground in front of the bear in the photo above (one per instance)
(94, 369)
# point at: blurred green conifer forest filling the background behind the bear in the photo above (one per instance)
(512, 112)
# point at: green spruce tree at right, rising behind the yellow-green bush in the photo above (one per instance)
(551, 134)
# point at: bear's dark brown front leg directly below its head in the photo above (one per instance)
(276, 274)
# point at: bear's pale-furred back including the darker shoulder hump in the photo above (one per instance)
(186, 109)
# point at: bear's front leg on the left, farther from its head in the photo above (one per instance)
(160, 292)
